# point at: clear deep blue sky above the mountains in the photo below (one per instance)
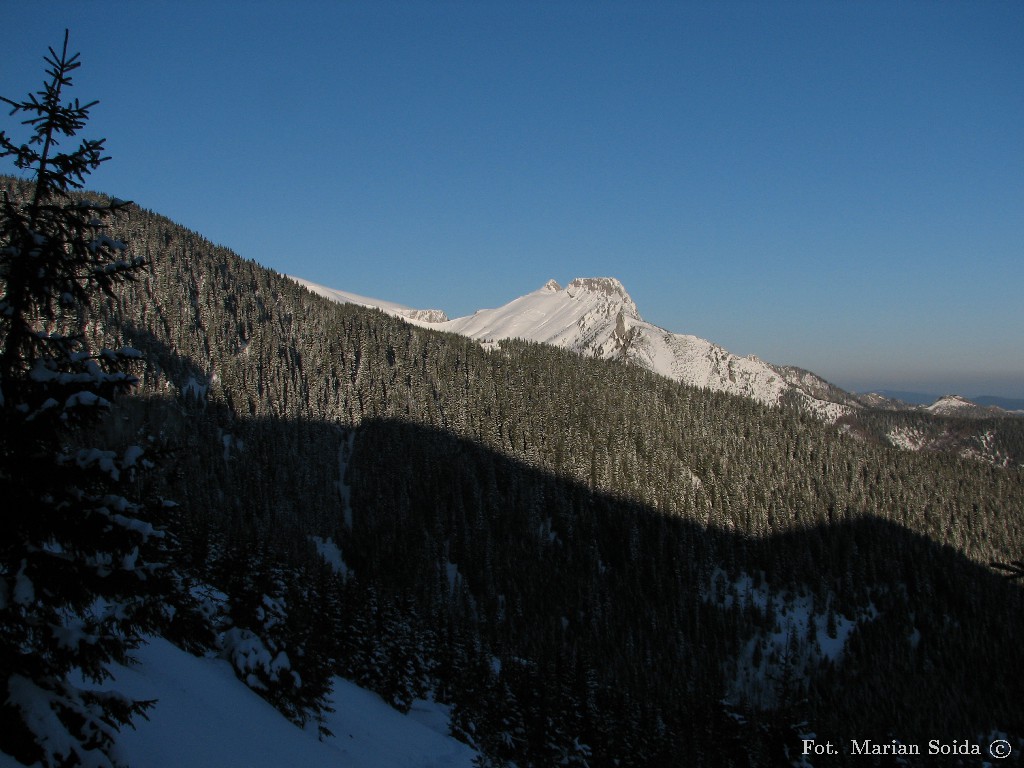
(837, 186)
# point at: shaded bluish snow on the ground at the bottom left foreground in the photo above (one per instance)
(206, 717)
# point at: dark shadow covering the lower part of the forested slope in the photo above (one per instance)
(865, 629)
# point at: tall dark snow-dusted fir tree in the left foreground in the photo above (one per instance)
(80, 552)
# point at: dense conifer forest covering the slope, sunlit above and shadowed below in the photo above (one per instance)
(593, 566)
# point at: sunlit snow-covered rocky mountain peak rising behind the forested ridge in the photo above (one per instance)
(595, 317)
